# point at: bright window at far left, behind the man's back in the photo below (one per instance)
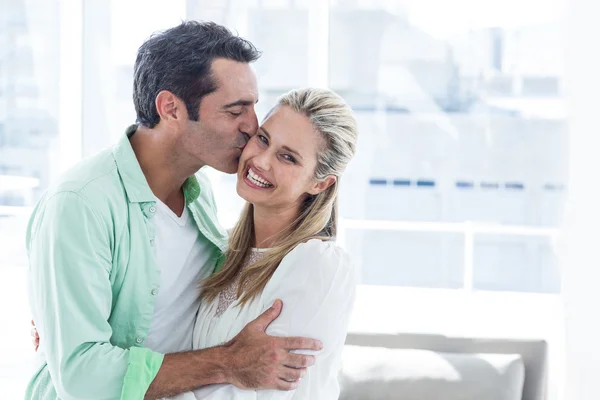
(29, 151)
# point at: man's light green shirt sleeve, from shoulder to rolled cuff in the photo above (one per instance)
(70, 252)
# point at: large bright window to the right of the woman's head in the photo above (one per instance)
(462, 153)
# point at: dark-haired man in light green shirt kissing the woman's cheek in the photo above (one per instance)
(117, 247)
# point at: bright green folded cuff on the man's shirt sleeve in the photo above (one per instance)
(142, 368)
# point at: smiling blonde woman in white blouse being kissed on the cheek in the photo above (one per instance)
(282, 246)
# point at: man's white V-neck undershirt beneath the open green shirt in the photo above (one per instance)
(182, 256)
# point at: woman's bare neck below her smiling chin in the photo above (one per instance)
(269, 223)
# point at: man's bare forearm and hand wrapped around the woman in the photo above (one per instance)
(252, 360)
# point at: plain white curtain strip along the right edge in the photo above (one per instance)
(581, 261)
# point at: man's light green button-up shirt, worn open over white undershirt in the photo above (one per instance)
(94, 278)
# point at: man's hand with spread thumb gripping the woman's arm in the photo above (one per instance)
(259, 361)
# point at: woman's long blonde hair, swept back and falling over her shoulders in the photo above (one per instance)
(335, 122)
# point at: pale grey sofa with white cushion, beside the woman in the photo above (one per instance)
(434, 367)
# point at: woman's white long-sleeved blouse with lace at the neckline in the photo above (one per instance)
(316, 283)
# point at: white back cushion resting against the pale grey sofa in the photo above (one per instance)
(380, 374)
